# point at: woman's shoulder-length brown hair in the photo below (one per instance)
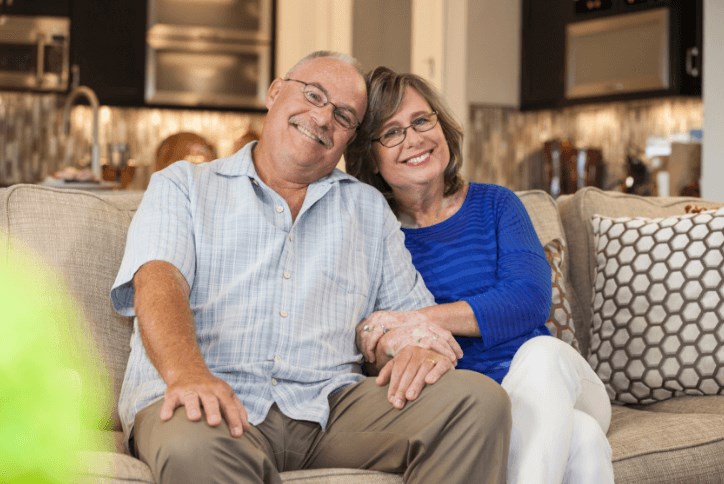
(385, 90)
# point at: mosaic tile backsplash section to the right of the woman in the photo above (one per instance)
(505, 145)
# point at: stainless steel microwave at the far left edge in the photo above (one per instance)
(34, 52)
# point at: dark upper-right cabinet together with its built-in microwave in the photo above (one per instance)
(599, 50)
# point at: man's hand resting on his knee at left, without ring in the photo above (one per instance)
(214, 395)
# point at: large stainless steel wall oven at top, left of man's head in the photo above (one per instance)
(209, 53)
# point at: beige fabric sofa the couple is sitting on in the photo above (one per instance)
(82, 234)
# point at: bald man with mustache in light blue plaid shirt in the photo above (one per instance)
(247, 277)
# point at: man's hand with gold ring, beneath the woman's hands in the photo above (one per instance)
(409, 371)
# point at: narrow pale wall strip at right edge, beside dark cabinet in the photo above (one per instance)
(712, 168)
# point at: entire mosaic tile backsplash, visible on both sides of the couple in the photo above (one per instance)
(504, 144)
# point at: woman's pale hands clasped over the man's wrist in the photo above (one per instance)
(401, 329)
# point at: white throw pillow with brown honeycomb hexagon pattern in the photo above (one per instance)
(658, 306)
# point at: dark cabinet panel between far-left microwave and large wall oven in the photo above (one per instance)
(108, 49)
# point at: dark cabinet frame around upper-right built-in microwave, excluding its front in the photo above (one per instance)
(543, 49)
